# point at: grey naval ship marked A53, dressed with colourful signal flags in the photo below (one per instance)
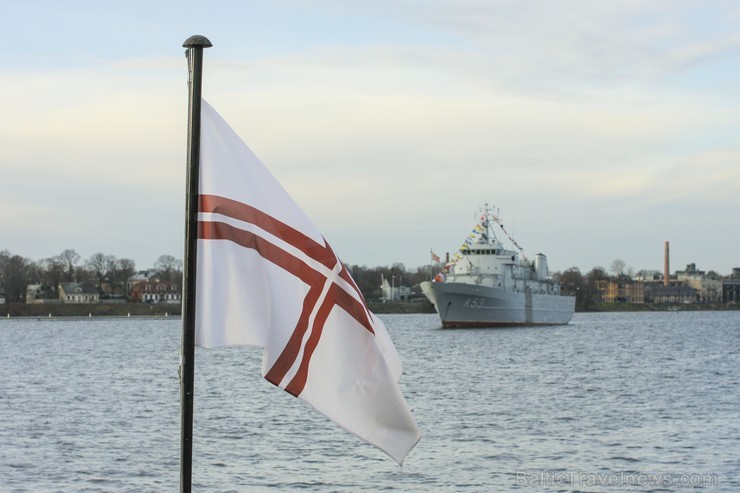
(486, 285)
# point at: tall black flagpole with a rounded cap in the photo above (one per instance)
(194, 45)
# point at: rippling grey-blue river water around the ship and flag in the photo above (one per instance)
(611, 402)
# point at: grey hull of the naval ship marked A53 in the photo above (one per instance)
(468, 305)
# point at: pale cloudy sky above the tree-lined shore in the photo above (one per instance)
(599, 130)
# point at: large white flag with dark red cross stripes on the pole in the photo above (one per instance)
(266, 277)
